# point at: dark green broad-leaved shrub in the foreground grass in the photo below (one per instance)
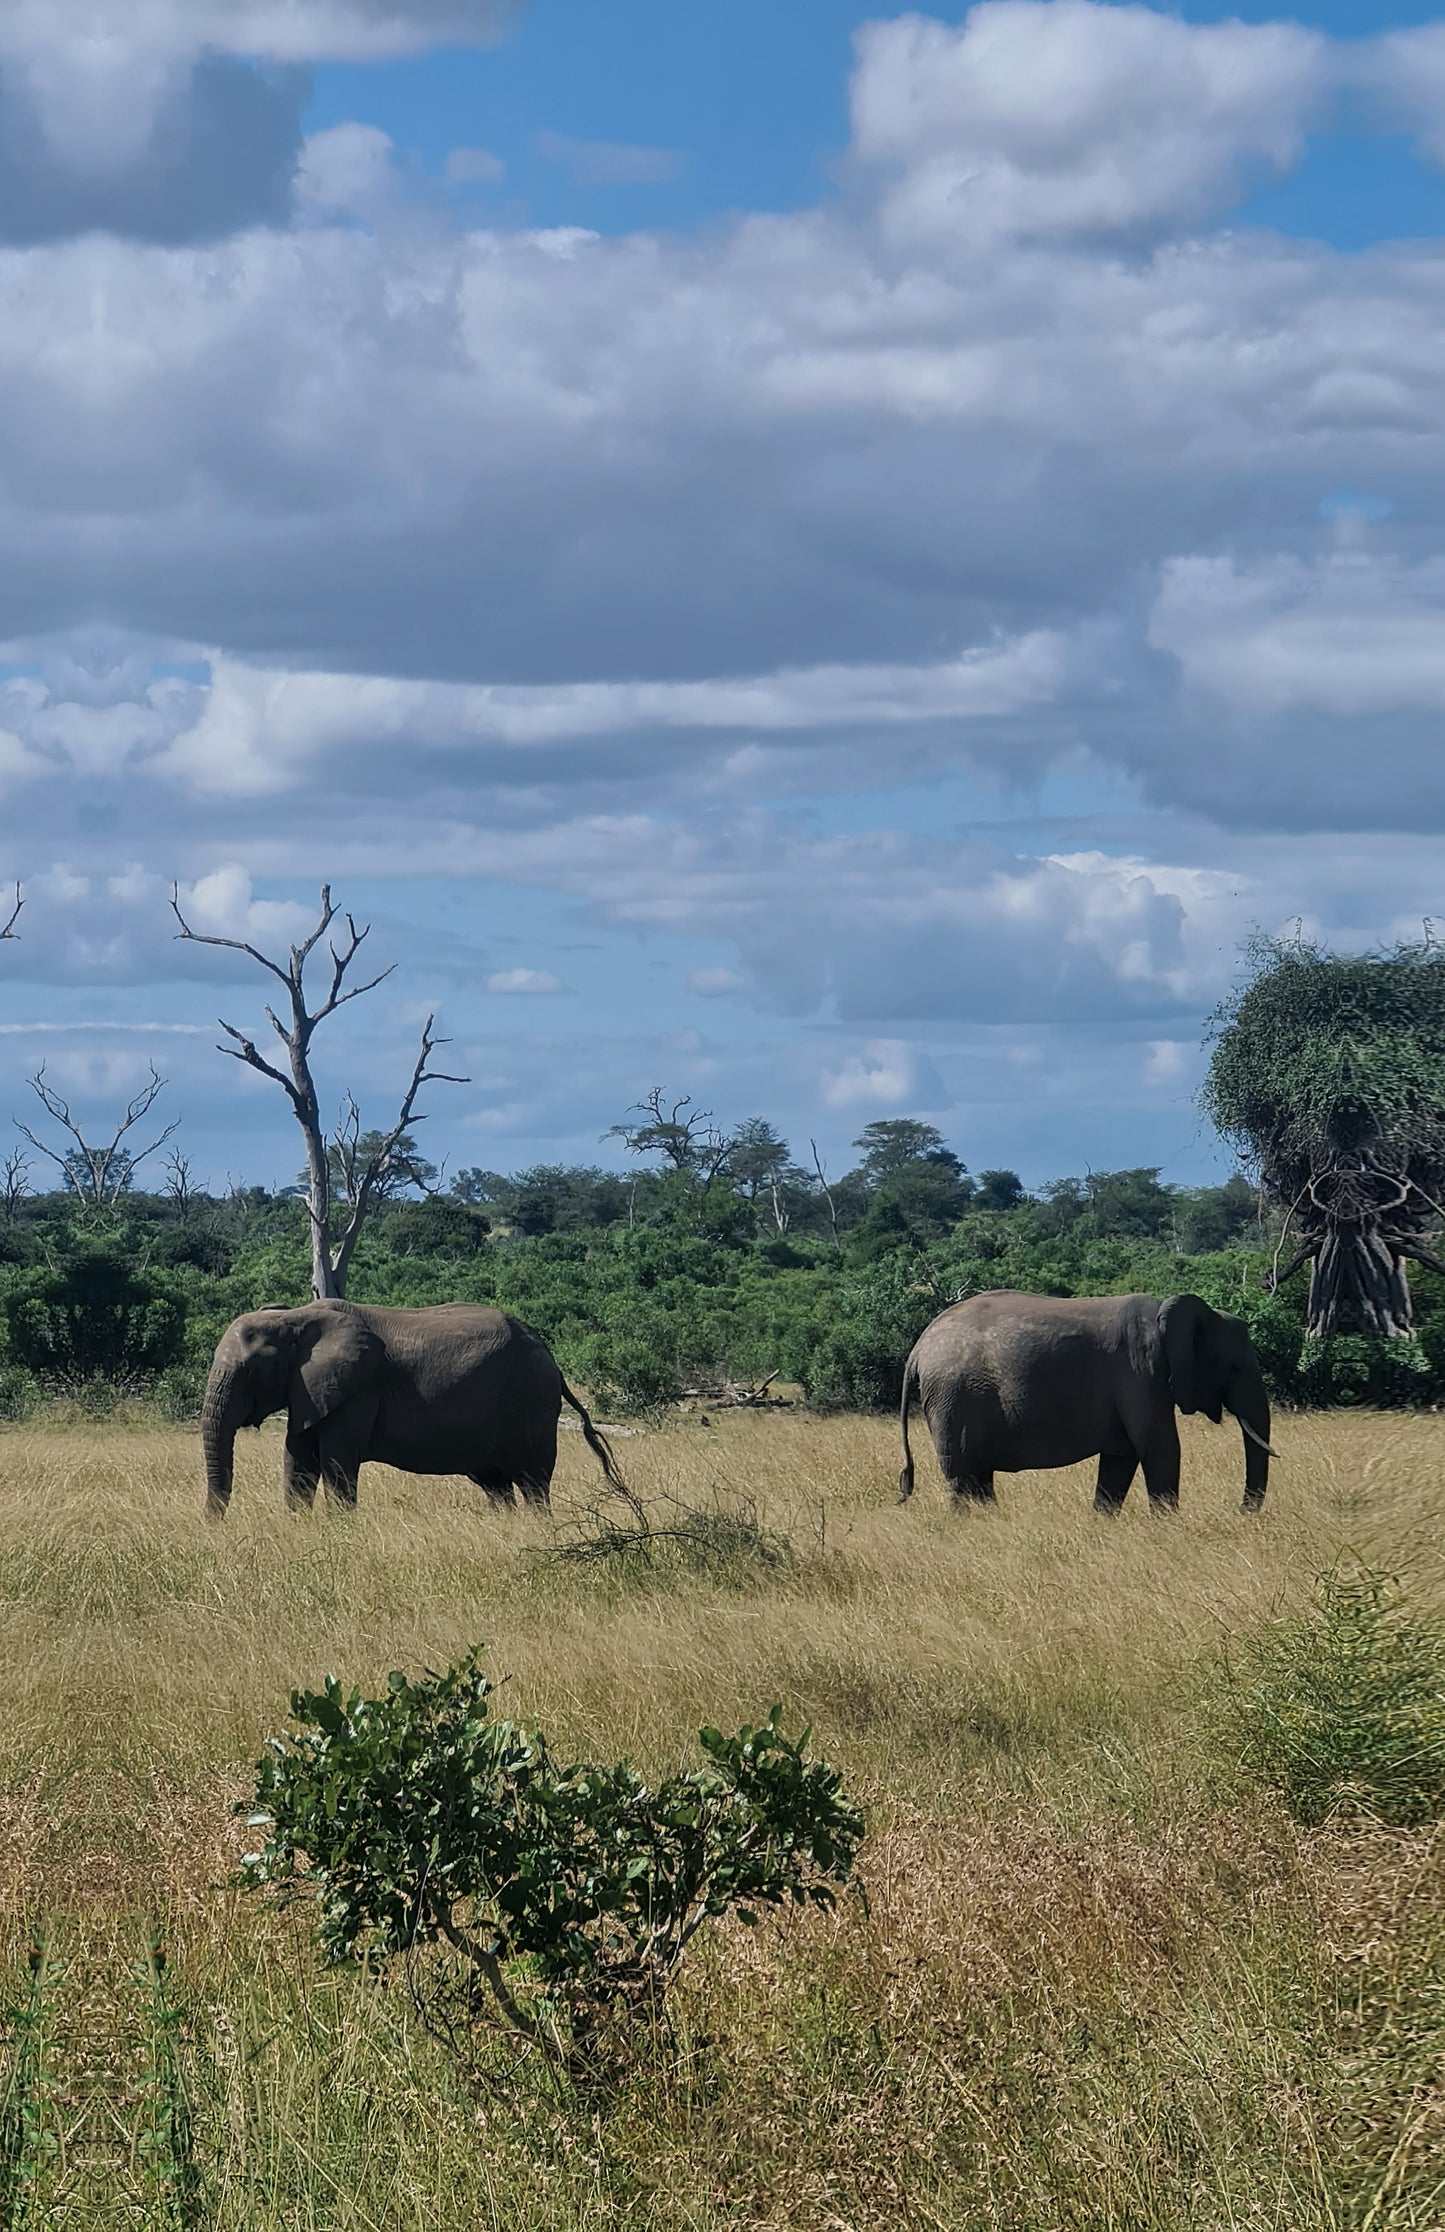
(571, 1894)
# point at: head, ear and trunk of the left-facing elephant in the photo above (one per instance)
(305, 1363)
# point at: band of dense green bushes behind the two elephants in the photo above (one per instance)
(660, 1280)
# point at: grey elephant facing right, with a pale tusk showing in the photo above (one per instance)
(1022, 1383)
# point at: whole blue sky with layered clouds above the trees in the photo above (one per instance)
(830, 559)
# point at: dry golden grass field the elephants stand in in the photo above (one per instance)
(1093, 1985)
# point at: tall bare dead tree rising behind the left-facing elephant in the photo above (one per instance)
(329, 1255)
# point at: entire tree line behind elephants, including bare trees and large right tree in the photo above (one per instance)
(729, 1249)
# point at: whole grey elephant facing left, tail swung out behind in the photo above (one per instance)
(457, 1389)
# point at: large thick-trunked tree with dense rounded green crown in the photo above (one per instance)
(1330, 1077)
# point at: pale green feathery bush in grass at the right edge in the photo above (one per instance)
(1341, 1711)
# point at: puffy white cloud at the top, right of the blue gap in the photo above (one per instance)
(1066, 117)
